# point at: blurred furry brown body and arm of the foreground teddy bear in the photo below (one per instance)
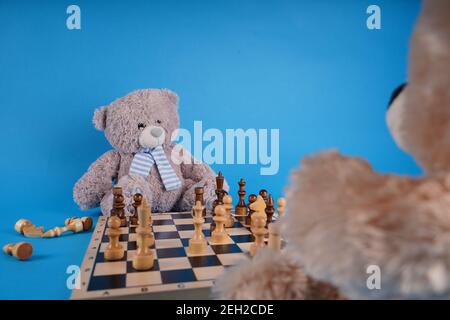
(347, 217)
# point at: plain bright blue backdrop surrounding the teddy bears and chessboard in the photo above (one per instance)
(310, 68)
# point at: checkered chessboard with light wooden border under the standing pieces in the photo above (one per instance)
(174, 268)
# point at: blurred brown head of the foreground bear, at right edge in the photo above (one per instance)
(419, 119)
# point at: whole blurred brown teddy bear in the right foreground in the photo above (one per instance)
(343, 218)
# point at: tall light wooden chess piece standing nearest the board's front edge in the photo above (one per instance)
(143, 259)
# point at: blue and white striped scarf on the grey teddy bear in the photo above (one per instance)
(143, 162)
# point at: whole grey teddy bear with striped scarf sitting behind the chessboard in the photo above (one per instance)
(139, 127)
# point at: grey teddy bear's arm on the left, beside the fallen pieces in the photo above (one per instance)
(97, 181)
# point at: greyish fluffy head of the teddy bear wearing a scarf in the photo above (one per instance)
(142, 119)
